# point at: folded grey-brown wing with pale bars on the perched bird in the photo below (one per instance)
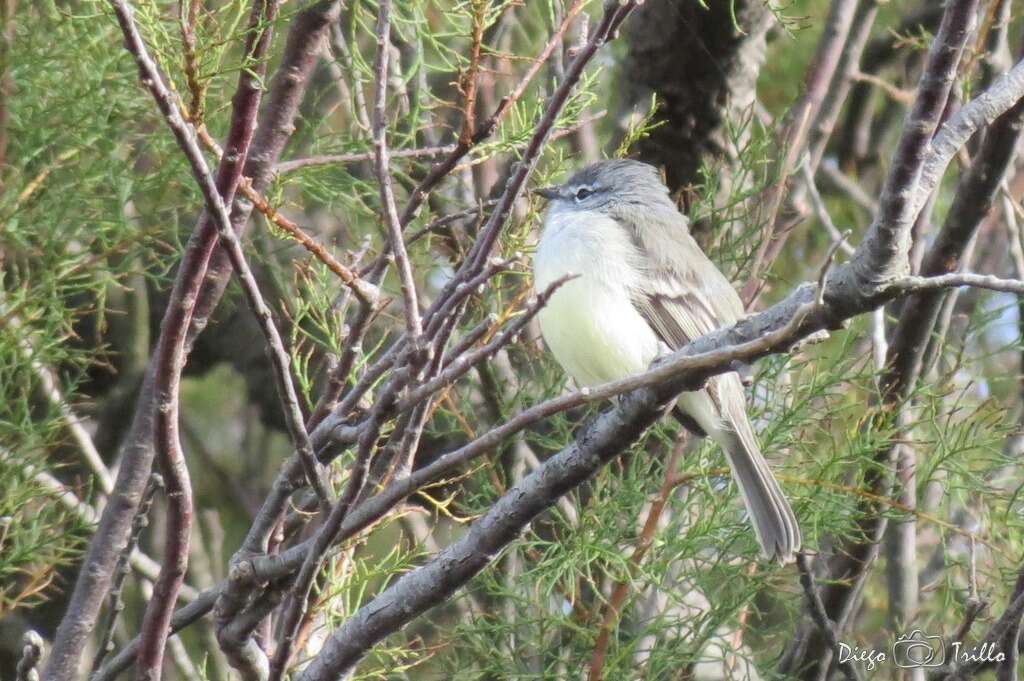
(684, 295)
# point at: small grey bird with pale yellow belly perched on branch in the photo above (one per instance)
(644, 289)
